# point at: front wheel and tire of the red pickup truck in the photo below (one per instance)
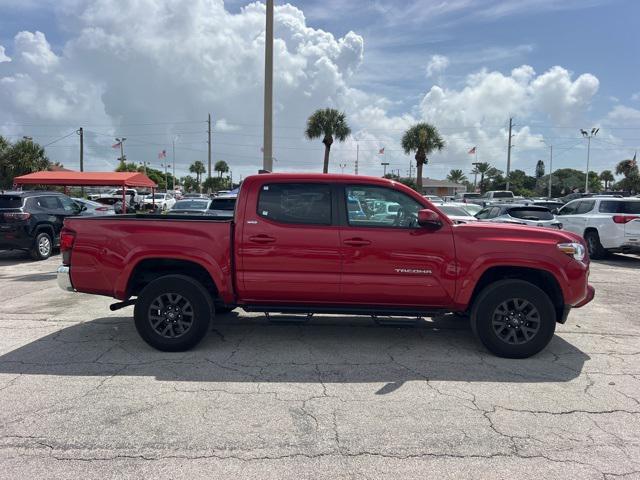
(522, 334)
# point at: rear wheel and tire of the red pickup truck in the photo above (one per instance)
(172, 313)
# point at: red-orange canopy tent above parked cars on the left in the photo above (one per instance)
(85, 179)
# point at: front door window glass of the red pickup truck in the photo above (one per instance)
(372, 206)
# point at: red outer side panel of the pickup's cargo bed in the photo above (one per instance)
(108, 249)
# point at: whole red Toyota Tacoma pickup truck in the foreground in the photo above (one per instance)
(305, 243)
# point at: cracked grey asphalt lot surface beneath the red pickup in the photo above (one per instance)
(339, 397)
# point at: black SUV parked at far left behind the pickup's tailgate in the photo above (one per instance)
(32, 220)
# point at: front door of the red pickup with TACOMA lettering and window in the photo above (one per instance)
(388, 259)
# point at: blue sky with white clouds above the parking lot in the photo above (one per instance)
(151, 70)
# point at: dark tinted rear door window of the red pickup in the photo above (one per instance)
(300, 203)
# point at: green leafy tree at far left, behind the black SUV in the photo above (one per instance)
(20, 158)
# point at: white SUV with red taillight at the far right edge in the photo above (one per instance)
(607, 224)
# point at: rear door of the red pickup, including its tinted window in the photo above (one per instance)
(289, 250)
